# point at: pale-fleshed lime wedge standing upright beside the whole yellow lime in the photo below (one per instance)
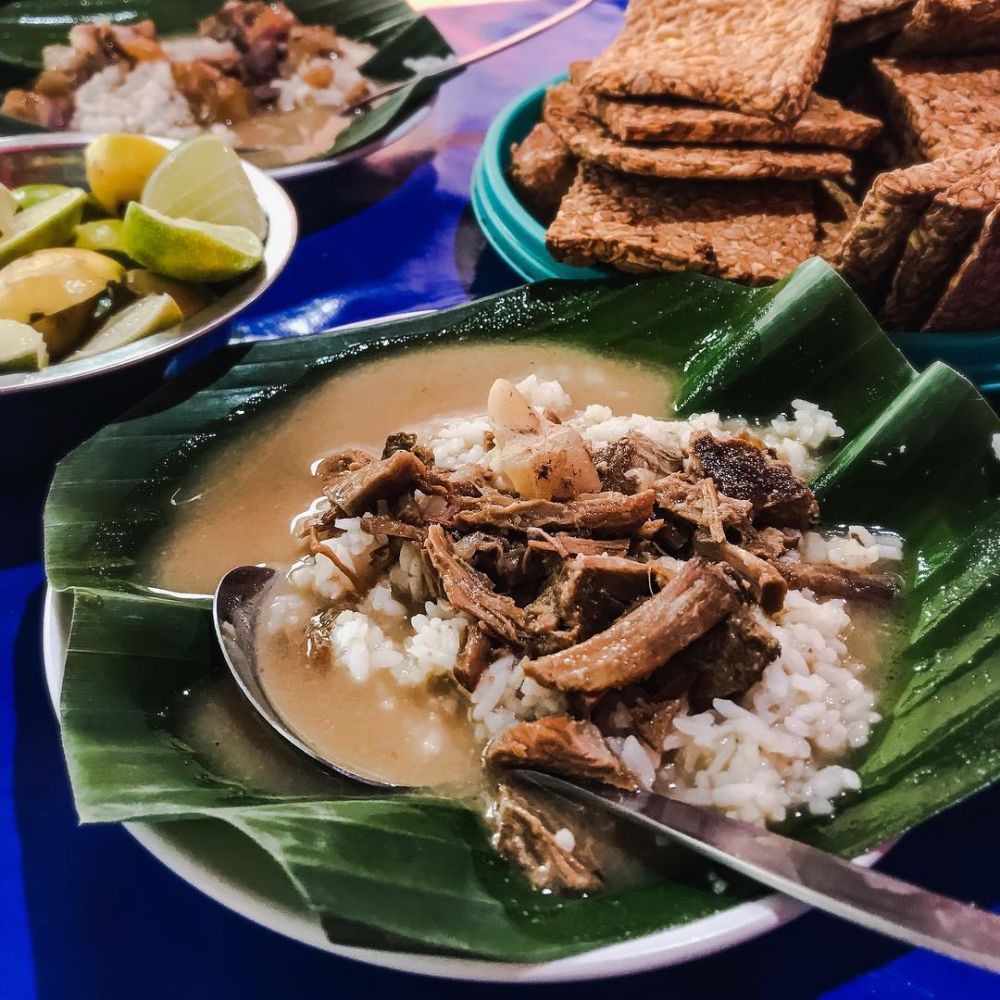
(204, 179)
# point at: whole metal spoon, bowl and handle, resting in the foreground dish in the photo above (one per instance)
(868, 898)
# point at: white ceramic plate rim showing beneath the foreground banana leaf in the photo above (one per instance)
(225, 866)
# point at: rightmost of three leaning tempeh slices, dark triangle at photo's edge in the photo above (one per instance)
(970, 302)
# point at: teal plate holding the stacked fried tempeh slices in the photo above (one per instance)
(519, 239)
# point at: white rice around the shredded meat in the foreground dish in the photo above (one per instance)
(759, 759)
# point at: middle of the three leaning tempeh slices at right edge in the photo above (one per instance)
(937, 244)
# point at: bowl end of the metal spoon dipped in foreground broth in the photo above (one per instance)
(236, 606)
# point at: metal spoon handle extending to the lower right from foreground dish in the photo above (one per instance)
(860, 895)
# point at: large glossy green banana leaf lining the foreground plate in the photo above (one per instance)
(418, 874)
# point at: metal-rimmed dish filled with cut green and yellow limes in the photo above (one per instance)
(122, 248)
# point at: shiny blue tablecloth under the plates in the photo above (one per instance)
(87, 913)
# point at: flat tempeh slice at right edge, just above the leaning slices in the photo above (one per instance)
(942, 106)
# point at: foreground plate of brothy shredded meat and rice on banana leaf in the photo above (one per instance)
(399, 473)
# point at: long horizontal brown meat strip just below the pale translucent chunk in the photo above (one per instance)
(601, 513)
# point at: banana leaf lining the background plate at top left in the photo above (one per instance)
(392, 26)
